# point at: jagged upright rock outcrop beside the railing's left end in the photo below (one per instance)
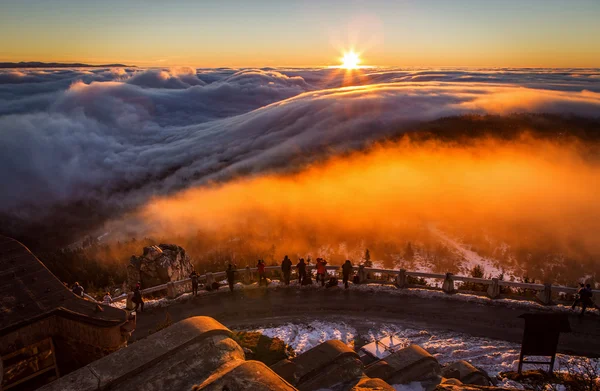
(159, 265)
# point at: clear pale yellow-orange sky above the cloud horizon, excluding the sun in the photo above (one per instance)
(234, 33)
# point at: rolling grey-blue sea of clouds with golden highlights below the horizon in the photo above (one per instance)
(116, 137)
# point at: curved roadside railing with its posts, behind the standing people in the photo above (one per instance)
(391, 276)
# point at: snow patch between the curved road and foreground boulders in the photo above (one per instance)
(494, 356)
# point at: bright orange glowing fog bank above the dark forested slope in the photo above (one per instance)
(396, 188)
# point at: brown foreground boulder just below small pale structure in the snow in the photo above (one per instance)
(411, 364)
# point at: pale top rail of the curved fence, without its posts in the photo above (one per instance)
(438, 276)
